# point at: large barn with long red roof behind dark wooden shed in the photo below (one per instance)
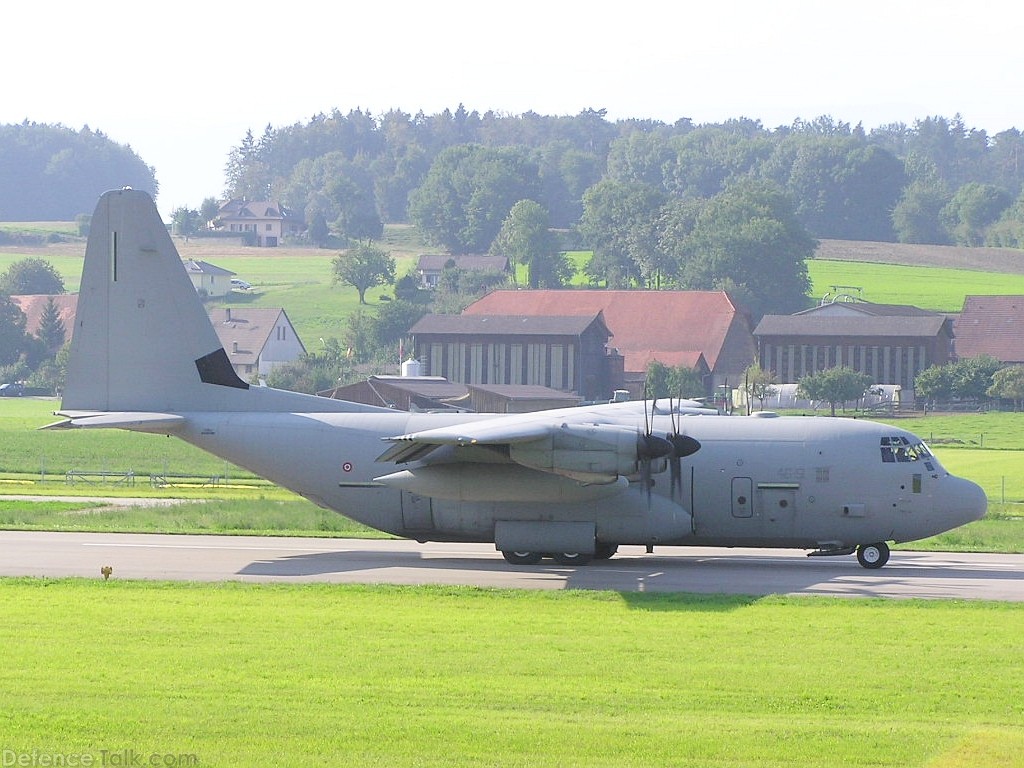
(673, 327)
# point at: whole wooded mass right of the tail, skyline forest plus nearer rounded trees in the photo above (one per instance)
(731, 206)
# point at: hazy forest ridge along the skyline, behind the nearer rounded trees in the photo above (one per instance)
(458, 175)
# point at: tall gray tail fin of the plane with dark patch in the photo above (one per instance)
(143, 340)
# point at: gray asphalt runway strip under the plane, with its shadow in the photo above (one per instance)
(909, 575)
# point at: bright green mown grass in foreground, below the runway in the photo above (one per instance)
(237, 675)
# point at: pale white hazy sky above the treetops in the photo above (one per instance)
(182, 82)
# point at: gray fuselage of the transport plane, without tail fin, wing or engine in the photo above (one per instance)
(790, 482)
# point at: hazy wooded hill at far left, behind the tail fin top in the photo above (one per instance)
(53, 174)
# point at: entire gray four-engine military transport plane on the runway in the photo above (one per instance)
(572, 484)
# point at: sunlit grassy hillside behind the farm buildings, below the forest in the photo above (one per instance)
(300, 279)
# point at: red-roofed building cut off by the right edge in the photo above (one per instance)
(993, 326)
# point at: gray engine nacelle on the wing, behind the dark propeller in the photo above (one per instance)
(592, 453)
